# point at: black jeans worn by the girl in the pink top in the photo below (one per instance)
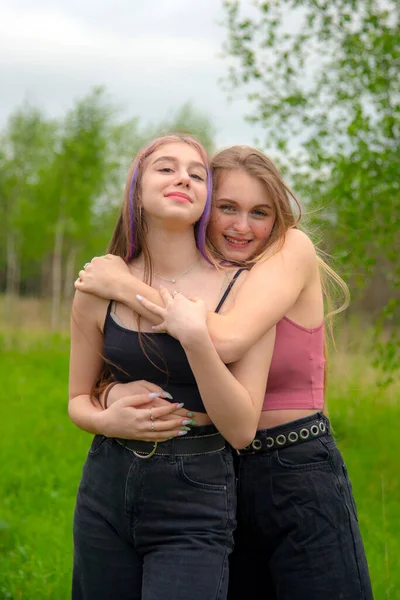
(298, 536)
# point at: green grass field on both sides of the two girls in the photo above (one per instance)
(42, 454)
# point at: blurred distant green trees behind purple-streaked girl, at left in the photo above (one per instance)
(61, 184)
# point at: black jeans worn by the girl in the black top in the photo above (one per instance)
(152, 529)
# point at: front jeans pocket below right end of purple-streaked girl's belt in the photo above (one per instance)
(207, 471)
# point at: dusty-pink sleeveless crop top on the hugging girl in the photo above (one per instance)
(296, 375)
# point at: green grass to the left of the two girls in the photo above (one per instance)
(42, 456)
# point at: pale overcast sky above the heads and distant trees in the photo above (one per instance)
(152, 56)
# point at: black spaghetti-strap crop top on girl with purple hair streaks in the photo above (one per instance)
(128, 362)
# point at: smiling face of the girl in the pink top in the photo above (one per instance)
(242, 216)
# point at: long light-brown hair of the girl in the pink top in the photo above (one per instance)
(288, 215)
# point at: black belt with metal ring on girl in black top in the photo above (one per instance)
(184, 446)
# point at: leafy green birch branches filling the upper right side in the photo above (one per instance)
(323, 80)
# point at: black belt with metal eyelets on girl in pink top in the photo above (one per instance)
(267, 441)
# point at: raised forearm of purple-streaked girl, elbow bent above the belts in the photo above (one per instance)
(227, 402)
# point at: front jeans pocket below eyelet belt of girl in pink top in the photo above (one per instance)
(306, 456)
